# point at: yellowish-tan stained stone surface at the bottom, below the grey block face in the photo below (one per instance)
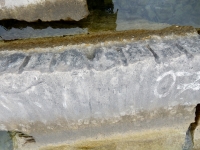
(164, 139)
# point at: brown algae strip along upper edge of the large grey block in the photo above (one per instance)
(94, 38)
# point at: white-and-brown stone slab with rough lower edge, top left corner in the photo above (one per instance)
(45, 10)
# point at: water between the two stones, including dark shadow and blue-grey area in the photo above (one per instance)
(111, 15)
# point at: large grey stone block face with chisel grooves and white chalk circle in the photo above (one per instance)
(65, 93)
